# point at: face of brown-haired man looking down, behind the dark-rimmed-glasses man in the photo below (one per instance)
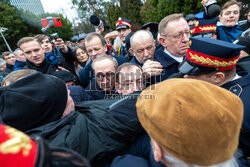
(95, 48)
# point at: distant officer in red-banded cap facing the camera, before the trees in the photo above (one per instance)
(123, 27)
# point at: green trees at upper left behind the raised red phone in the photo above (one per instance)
(22, 23)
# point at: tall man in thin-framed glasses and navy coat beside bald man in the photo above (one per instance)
(174, 36)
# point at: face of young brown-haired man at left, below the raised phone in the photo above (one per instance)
(33, 52)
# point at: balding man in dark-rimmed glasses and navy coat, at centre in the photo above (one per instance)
(103, 83)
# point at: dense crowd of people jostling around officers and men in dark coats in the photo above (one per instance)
(179, 98)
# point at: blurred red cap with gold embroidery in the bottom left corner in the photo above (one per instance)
(18, 149)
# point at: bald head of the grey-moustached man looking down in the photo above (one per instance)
(142, 46)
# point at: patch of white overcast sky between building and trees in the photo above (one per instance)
(60, 6)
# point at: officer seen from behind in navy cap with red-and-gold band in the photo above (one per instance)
(214, 61)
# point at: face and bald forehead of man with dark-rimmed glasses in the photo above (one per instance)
(105, 74)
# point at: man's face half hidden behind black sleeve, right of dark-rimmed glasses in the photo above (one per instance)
(130, 80)
